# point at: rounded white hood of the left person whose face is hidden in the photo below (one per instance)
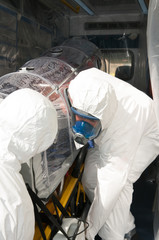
(28, 125)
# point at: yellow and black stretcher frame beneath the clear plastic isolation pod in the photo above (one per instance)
(64, 215)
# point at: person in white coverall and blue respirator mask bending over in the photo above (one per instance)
(122, 122)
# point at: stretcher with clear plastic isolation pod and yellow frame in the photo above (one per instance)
(53, 178)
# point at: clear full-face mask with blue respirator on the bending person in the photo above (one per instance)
(85, 127)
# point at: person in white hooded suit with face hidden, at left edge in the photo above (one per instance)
(28, 126)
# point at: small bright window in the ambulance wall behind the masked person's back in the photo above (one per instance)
(119, 63)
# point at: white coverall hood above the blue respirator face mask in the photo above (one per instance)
(100, 101)
